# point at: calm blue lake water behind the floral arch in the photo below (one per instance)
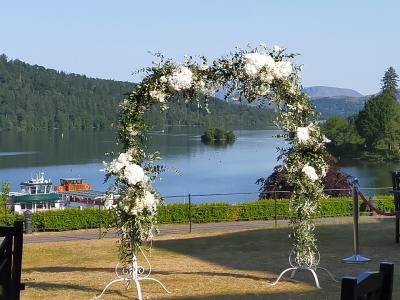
(193, 167)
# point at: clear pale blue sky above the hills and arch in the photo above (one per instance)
(343, 43)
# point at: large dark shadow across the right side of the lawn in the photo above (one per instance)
(267, 251)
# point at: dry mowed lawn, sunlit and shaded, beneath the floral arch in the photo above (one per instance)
(221, 265)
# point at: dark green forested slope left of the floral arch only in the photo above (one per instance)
(33, 97)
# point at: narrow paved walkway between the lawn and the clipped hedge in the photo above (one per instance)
(92, 234)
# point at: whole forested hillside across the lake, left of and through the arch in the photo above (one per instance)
(33, 97)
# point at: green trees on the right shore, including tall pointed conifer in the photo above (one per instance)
(375, 131)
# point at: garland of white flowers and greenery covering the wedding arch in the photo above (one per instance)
(252, 74)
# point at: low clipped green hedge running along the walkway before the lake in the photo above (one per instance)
(70, 219)
